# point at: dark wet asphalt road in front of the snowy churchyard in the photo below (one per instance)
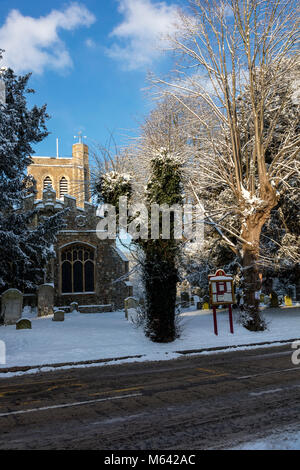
(191, 403)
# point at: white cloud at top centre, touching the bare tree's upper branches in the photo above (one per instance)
(139, 36)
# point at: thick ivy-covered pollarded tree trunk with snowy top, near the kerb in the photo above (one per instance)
(160, 265)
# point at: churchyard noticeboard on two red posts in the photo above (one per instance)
(221, 292)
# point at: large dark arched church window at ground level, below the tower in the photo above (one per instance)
(77, 269)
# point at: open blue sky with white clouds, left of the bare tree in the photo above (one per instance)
(89, 61)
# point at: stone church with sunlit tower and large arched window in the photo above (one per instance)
(86, 269)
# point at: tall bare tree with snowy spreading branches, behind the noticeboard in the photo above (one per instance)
(236, 54)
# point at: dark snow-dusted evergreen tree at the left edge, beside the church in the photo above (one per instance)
(25, 246)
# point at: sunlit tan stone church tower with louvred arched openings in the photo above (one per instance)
(66, 175)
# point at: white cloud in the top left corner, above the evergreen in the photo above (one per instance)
(33, 44)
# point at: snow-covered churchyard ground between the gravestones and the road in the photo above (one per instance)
(83, 337)
